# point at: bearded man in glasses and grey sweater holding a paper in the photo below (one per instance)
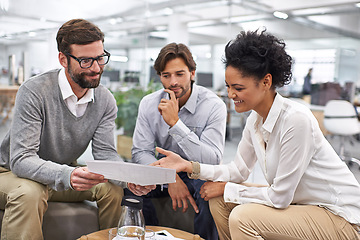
(56, 116)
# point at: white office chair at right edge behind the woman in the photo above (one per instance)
(340, 118)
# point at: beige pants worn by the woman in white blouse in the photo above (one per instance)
(256, 221)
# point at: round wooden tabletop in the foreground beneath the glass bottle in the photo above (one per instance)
(104, 234)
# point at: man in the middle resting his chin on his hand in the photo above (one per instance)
(184, 118)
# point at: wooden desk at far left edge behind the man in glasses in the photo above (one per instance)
(7, 100)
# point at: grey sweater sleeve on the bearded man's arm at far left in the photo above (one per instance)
(25, 134)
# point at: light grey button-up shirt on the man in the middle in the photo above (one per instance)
(199, 135)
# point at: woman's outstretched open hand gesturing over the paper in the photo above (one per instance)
(173, 161)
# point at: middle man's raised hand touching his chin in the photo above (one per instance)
(169, 108)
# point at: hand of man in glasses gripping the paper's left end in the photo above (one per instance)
(81, 179)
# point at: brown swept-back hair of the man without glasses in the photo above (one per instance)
(172, 51)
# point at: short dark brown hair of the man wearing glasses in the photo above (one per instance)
(77, 31)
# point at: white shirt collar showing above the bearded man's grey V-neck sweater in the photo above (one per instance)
(75, 105)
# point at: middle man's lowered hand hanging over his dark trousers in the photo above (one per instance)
(179, 194)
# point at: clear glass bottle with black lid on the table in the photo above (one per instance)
(131, 224)
